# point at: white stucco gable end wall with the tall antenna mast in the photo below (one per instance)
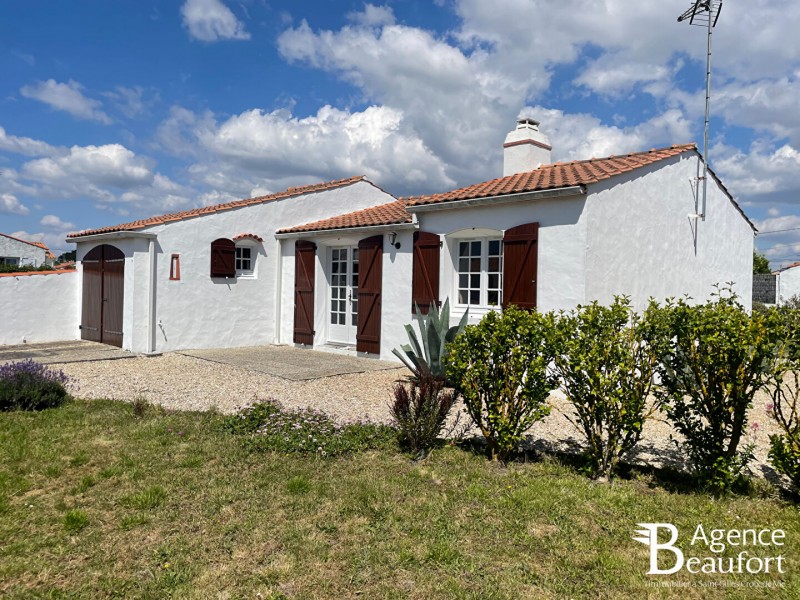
(641, 239)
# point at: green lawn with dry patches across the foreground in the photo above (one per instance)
(98, 502)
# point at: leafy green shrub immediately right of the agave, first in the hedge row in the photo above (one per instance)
(500, 367)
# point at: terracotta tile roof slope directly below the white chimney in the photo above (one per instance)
(554, 176)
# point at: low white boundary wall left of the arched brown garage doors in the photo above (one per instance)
(40, 307)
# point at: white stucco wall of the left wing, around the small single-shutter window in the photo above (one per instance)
(201, 312)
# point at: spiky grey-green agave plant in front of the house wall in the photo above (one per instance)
(435, 332)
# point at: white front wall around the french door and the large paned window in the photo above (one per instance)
(560, 277)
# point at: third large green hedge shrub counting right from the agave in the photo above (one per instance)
(714, 358)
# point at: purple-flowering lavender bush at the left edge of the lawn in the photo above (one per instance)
(28, 385)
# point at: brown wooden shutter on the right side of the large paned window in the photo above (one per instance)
(520, 255)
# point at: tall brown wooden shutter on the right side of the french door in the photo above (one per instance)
(370, 281)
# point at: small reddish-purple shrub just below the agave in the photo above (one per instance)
(420, 411)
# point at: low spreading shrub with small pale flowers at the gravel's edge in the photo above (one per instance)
(268, 427)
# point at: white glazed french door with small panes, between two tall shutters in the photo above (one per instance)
(343, 305)
